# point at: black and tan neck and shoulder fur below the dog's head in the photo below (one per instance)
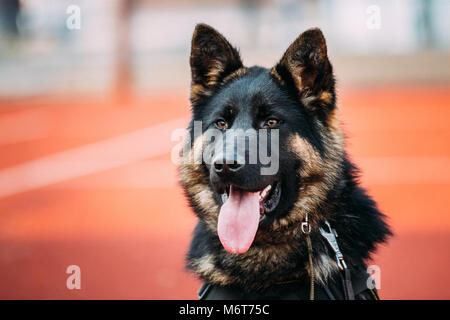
(350, 210)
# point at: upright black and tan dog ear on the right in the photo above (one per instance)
(305, 67)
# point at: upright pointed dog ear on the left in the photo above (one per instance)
(212, 59)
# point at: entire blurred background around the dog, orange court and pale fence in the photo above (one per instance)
(91, 91)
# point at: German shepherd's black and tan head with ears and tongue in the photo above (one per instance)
(264, 146)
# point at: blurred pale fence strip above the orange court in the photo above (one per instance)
(49, 47)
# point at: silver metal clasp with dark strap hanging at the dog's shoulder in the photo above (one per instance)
(330, 235)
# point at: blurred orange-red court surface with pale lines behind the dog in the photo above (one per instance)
(91, 183)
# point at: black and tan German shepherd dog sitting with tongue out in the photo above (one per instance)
(249, 242)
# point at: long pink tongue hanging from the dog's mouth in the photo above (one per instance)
(239, 220)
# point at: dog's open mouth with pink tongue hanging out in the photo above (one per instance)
(241, 213)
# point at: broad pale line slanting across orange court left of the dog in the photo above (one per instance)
(91, 158)
